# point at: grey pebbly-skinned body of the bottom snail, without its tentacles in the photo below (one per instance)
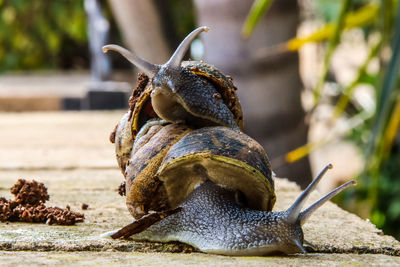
(212, 221)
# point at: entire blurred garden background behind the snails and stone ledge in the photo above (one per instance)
(318, 79)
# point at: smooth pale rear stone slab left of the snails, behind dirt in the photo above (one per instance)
(61, 140)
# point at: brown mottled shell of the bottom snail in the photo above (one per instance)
(170, 161)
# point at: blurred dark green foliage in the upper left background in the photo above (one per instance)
(52, 34)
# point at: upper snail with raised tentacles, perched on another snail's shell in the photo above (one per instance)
(216, 89)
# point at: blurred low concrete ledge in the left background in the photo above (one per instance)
(53, 91)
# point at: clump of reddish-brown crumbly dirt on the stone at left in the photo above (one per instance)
(28, 206)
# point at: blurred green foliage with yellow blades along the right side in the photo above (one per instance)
(377, 195)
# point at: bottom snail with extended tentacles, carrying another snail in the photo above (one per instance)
(211, 188)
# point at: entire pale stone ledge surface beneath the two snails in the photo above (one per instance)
(71, 154)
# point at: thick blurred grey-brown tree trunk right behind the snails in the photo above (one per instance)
(269, 85)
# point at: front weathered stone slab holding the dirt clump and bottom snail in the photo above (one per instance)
(331, 229)
